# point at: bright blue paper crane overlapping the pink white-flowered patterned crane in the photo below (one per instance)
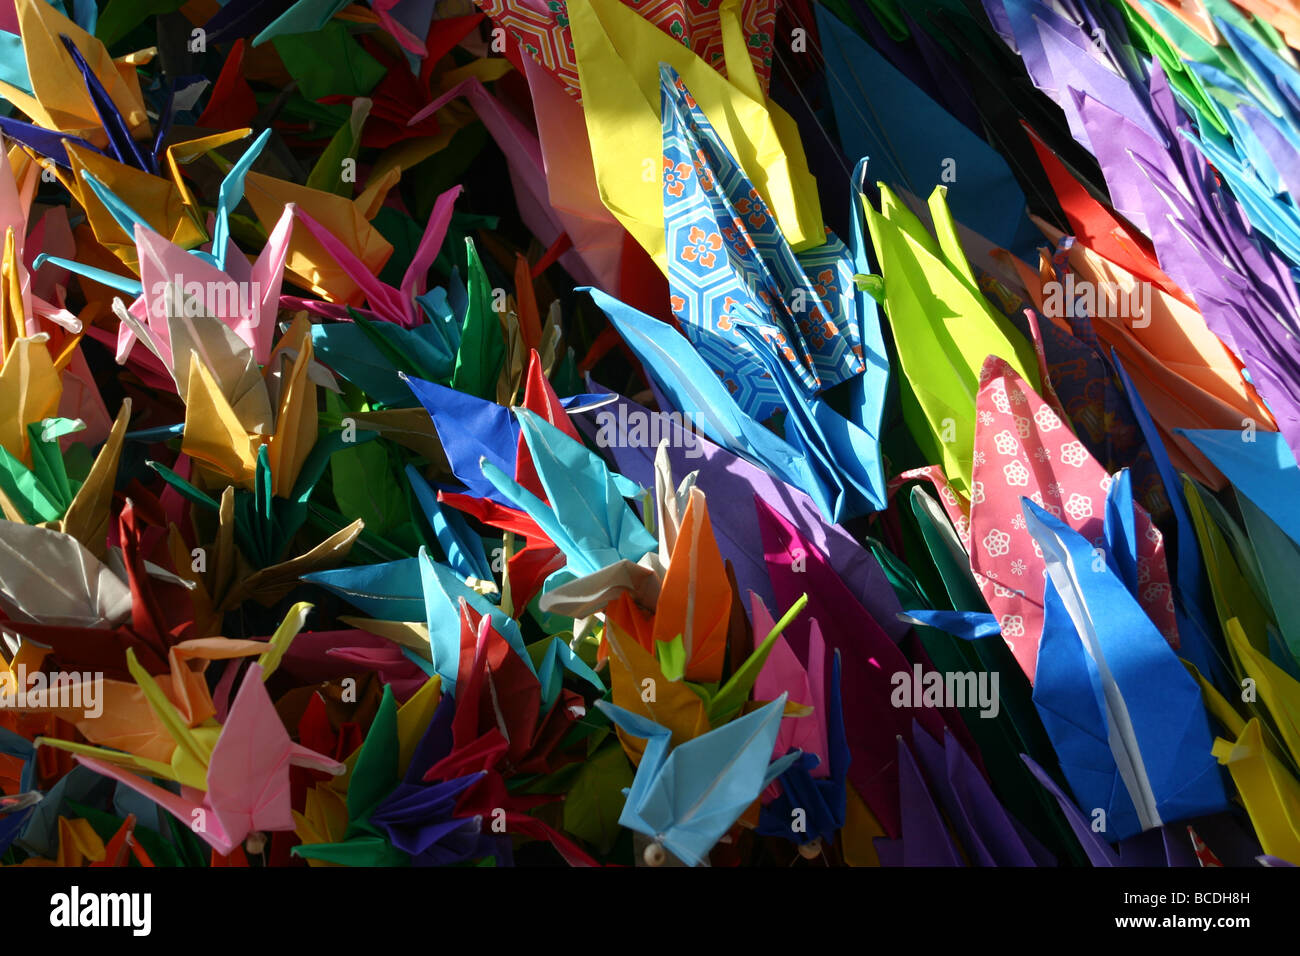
(1095, 672)
